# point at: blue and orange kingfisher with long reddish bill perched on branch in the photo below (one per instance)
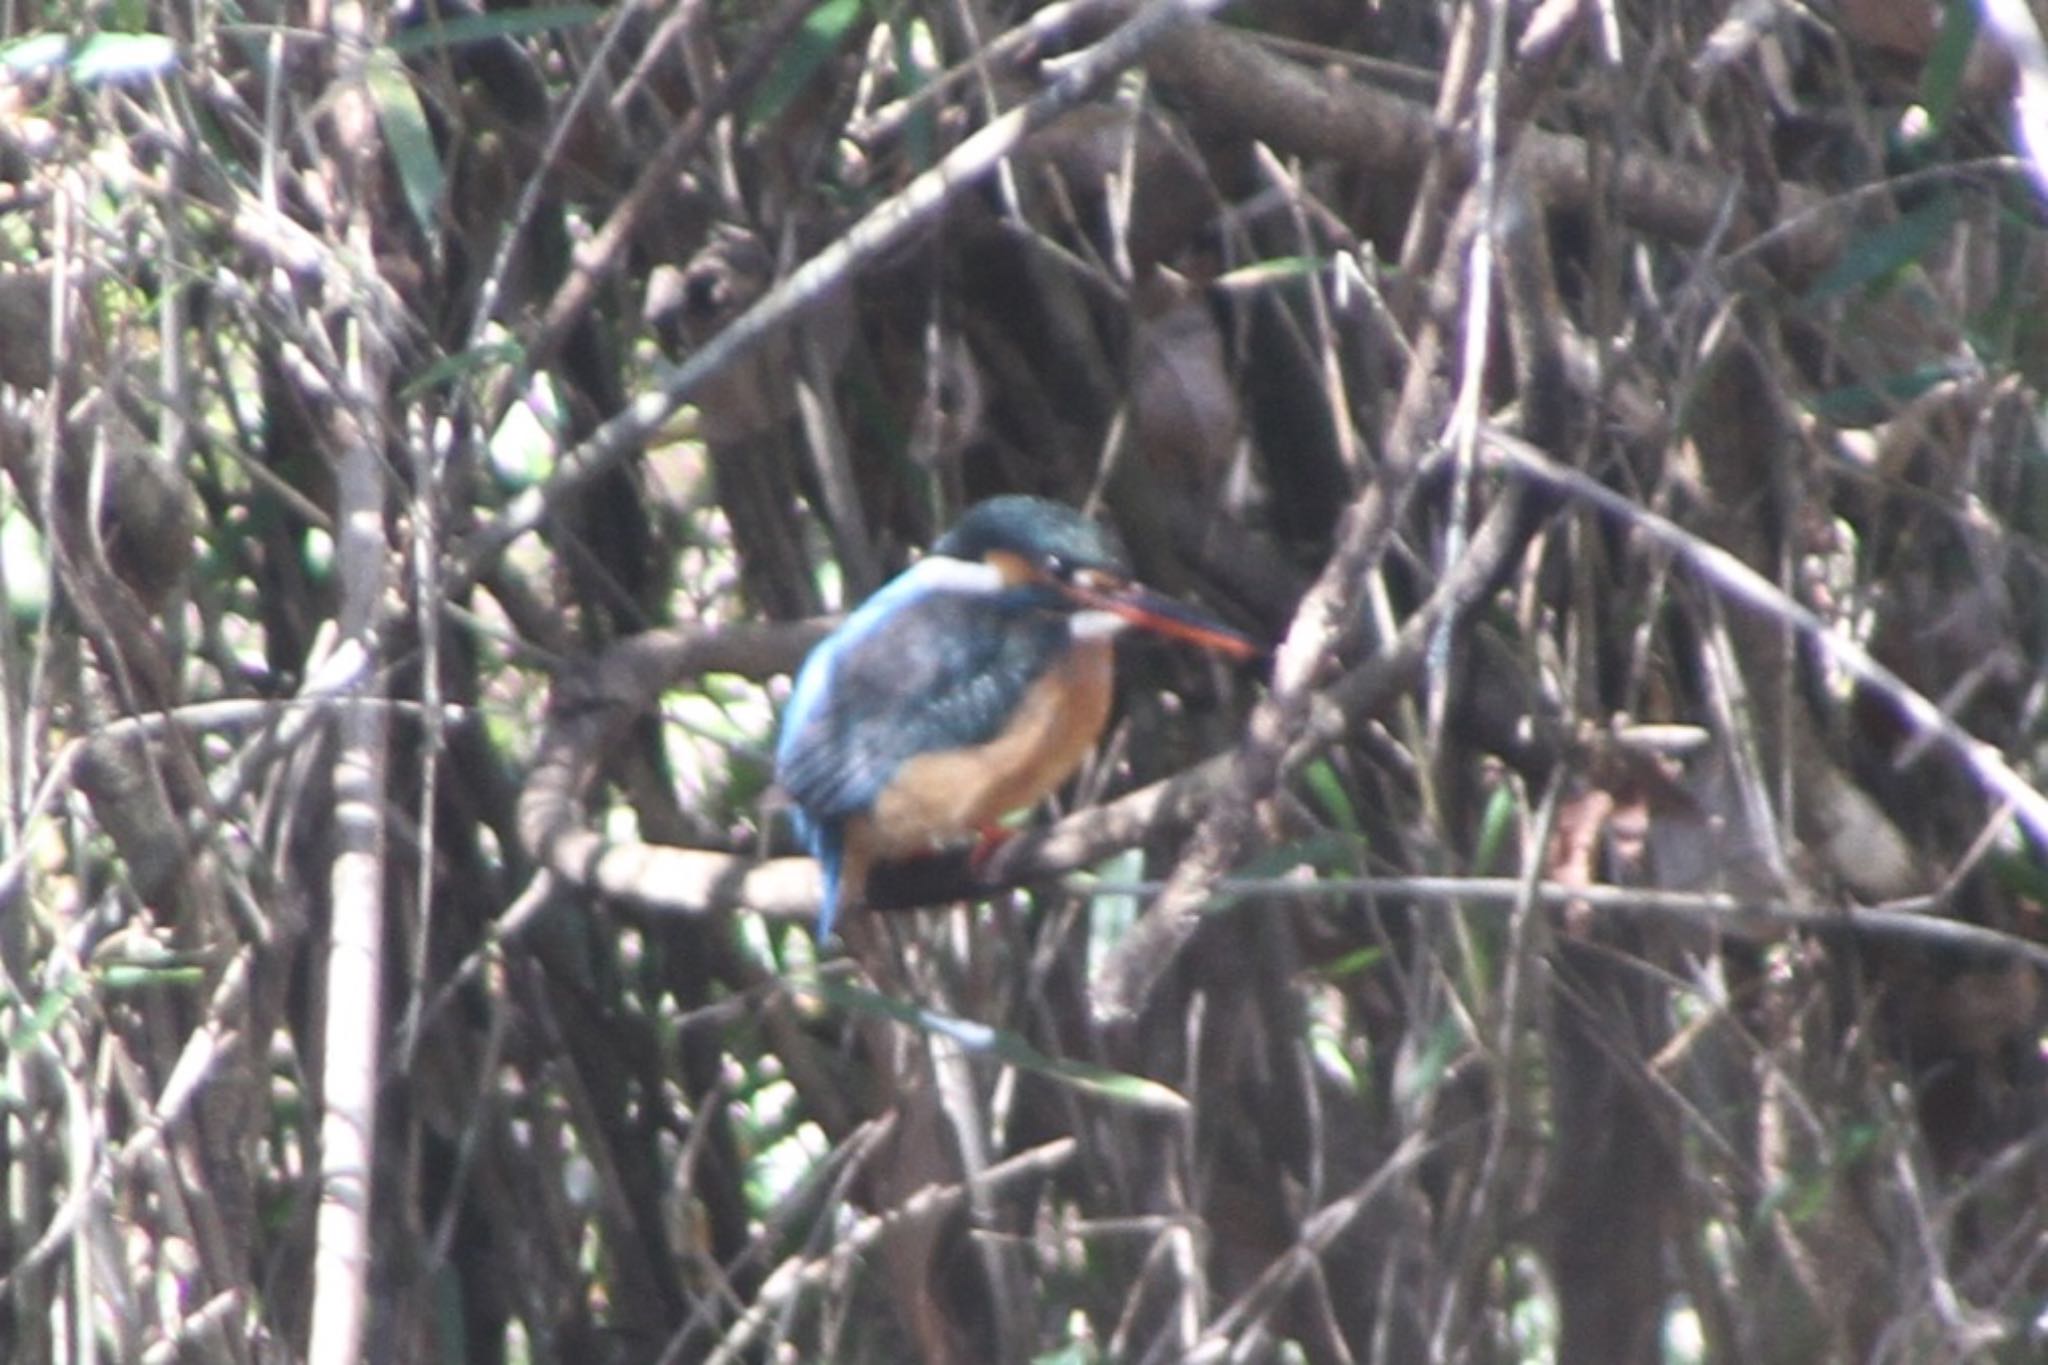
(968, 689)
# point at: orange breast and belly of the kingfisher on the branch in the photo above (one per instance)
(962, 791)
